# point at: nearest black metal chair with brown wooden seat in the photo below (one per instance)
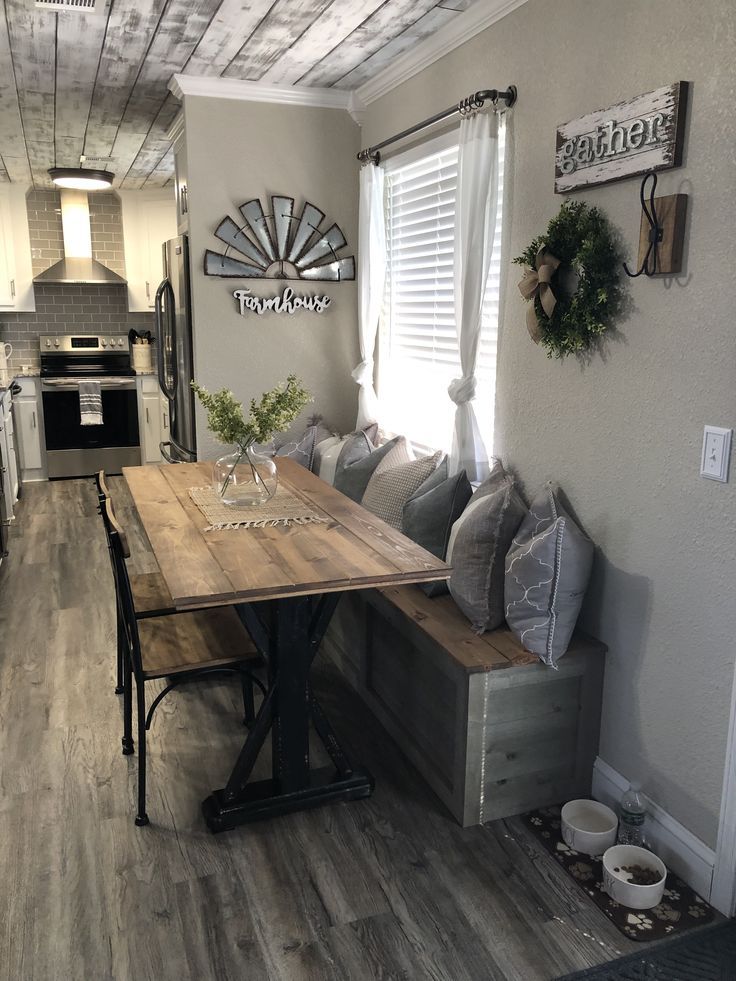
(180, 648)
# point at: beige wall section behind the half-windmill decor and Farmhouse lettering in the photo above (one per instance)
(242, 150)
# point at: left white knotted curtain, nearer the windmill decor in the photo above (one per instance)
(371, 282)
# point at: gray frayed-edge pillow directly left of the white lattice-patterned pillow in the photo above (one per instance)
(478, 544)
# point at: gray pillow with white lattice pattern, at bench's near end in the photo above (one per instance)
(547, 572)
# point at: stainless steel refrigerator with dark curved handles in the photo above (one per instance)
(175, 361)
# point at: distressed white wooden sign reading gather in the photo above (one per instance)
(643, 134)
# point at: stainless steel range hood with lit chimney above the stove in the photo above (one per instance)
(77, 267)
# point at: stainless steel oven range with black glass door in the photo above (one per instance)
(75, 450)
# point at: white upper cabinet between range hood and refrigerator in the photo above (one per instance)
(149, 220)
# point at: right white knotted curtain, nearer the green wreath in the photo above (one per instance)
(475, 225)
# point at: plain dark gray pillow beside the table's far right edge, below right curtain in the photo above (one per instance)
(430, 513)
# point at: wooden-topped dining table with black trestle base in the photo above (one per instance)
(285, 583)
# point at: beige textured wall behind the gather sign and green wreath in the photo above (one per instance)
(622, 434)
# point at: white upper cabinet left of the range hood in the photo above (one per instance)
(16, 270)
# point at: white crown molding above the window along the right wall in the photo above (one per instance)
(459, 30)
